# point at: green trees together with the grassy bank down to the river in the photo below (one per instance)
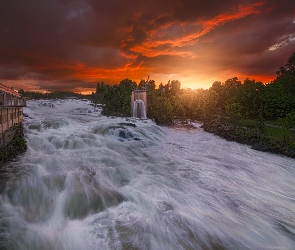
(250, 112)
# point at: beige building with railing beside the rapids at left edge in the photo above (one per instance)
(11, 113)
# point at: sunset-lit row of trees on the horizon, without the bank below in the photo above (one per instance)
(232, 98)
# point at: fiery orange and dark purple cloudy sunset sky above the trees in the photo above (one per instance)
(71, 45)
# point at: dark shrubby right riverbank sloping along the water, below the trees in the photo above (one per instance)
(253, 135)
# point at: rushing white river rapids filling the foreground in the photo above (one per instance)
(92, 182)
